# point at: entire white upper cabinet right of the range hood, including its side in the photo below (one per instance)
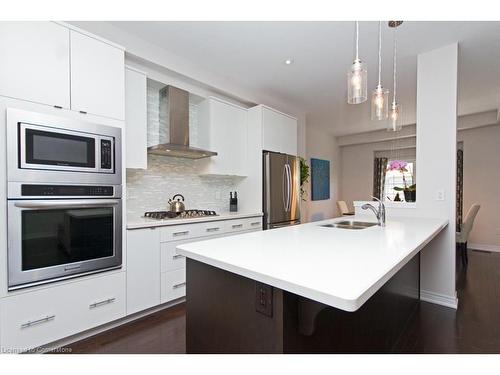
(223, 129)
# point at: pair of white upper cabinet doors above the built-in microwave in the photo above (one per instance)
(49, 63)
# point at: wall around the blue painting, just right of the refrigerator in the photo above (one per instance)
(322, 145)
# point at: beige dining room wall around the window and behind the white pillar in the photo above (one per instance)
(481, 154)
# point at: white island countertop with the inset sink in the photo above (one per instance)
(342, 268)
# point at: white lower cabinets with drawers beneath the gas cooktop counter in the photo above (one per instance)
(156, 274)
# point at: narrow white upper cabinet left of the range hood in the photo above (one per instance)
(136, 117)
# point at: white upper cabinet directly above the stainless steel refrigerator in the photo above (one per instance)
(279, 132)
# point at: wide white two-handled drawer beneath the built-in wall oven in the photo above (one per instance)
(35, 318)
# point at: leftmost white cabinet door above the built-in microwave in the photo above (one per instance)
(34, 63)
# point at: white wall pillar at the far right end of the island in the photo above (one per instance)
(436, 161)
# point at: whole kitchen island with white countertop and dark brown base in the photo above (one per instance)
(305, 289)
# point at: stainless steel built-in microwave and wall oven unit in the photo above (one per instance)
(64, 193)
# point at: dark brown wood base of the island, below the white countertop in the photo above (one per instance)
(228, 313)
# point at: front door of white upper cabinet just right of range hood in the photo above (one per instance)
(229, 138)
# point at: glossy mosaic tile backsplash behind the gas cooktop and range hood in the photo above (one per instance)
(150, 189)
